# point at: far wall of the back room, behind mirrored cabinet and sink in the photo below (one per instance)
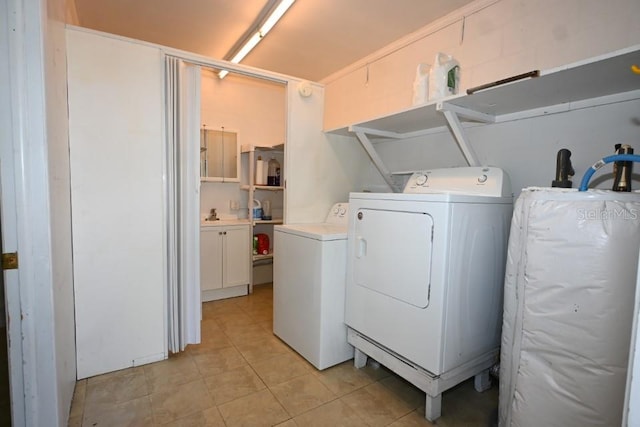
(256, 110)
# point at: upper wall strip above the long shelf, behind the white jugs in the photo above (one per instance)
(497, 39)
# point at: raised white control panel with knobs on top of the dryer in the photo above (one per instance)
(473, 180)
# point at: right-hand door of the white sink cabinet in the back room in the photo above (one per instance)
(236, 258)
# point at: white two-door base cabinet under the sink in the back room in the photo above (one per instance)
(224, 260)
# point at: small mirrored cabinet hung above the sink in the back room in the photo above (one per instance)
(219, 155)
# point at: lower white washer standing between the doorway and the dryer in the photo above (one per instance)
(309, 288)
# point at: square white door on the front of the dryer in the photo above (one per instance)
(393, 254)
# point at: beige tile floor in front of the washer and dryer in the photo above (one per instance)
(242, 375)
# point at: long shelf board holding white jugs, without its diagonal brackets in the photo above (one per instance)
(602, 76)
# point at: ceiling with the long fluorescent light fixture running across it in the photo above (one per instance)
(313, 40)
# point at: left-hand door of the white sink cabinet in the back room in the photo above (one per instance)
(211, 258)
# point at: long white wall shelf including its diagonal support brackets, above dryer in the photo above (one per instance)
(597, 81)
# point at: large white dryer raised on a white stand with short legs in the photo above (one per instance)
(425, 275)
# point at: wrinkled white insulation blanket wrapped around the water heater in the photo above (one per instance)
(568, 307)
